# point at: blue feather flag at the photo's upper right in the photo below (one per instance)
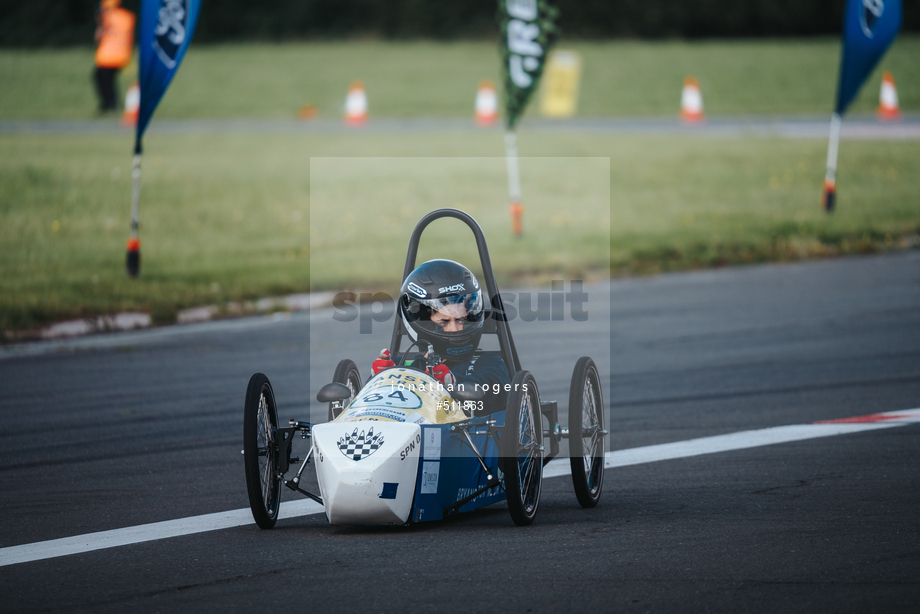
(869, 27)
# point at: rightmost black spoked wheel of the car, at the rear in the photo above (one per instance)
(586, 437)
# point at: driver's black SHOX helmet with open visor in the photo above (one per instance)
(448, 292)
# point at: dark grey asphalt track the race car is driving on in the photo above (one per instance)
(120, 431)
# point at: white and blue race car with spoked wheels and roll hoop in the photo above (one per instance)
(402, 448)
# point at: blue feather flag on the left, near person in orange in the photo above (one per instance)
(166, 28)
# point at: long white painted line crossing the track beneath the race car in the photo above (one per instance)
(560, 467)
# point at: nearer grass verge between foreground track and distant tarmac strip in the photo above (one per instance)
(228, 217)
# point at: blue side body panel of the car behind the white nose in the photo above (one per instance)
(449, 471)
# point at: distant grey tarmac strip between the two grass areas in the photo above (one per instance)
(808, 127)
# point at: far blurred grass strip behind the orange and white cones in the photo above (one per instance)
(431, 79)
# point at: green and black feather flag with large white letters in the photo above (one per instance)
(528, 30)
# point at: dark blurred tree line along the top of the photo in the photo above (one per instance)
(34, 23)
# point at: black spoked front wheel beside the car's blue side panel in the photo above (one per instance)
(522, 443)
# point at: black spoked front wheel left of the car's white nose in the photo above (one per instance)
(261, 451)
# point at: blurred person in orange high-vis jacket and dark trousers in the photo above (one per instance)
(115, 37)
